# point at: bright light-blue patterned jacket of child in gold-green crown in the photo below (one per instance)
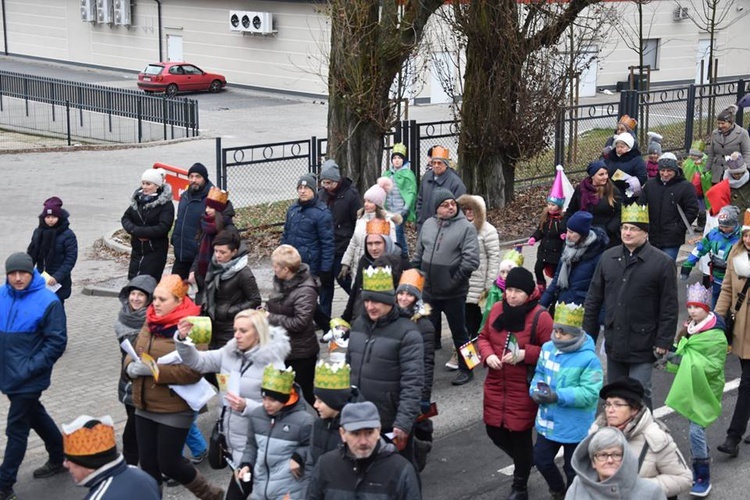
(576, 377)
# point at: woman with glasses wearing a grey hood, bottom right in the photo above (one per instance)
(606, 468)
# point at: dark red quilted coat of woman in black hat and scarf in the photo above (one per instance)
(506, 391)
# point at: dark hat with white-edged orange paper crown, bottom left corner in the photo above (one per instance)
(90, 442)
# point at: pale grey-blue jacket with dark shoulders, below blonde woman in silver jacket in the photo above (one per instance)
(272, 441)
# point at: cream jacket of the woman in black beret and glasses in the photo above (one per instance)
(663, 463)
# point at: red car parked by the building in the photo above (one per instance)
(173, 77)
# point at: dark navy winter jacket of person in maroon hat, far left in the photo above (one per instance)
(64, 256)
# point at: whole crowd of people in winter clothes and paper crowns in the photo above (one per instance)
(292, 424)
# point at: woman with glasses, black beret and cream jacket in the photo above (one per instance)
(659, 459)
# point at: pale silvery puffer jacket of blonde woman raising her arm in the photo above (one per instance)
(249, 365)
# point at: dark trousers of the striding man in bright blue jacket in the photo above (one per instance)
(26, 413)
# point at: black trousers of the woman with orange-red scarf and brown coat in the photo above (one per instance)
(160, 451)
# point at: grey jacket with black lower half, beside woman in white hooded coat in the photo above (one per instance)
(447, 252)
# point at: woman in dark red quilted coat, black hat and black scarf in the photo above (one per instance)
(509, 345)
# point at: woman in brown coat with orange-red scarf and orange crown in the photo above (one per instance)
(162, 417)
